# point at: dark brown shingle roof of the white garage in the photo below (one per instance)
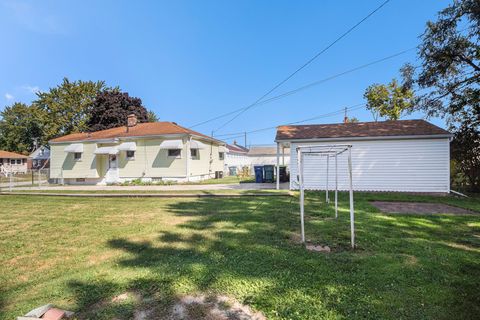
(360, 130)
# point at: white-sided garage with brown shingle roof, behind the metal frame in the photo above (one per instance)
(404, 155)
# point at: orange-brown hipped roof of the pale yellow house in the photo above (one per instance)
(139, 130)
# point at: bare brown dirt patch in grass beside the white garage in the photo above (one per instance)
(418, 208)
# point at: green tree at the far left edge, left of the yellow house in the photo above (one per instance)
(20, 127)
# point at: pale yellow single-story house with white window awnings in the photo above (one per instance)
(148, 151)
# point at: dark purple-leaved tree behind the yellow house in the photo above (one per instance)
(111, 108)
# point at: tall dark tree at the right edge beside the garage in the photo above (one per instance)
(450, 70)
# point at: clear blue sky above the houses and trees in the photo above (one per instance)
(190, 61)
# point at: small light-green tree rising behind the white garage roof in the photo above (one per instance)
(389, 100)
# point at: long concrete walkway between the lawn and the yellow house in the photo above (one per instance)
(175, 187)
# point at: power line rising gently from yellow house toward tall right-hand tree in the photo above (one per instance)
(309, 85)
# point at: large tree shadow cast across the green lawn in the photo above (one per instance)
(403, 268)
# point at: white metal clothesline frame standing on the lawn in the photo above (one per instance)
(328, 151)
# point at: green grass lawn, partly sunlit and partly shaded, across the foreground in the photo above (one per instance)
(78, 253)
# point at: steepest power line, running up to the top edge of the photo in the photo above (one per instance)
(305, 64)
